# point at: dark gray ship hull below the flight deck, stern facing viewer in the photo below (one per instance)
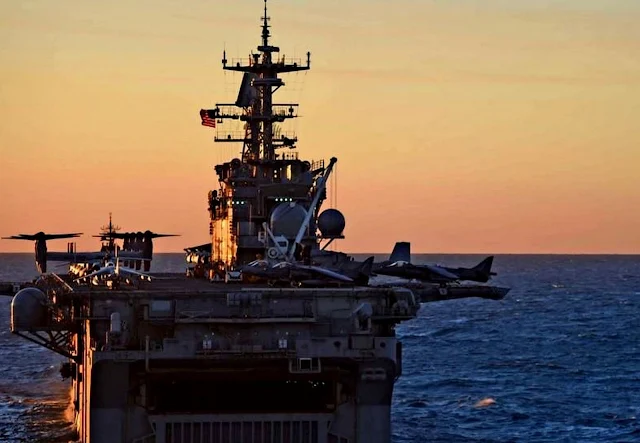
(193, 361)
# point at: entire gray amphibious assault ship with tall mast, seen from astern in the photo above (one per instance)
(268, 338)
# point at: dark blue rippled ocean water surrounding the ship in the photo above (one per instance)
(558, 360)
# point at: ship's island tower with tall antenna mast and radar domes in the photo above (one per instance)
(269, 183)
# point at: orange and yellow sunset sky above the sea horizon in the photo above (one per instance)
(497, 126)
